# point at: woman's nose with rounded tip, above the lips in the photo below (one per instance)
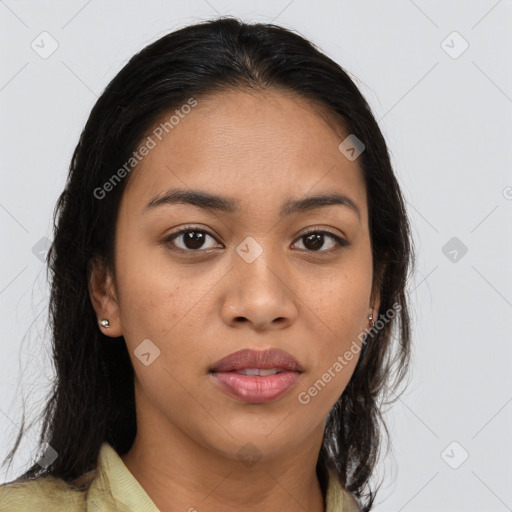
(260, 294)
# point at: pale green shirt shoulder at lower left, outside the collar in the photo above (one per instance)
(41, 493)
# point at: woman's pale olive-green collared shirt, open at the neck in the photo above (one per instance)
(112, 489)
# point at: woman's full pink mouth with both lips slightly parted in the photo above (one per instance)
(257, 376)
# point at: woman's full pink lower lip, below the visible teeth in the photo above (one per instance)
(254, 389)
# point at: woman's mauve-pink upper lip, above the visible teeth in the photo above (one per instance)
(263, 359)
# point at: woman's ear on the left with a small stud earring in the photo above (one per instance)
(103, 297)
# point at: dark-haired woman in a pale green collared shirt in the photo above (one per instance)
(229, 264)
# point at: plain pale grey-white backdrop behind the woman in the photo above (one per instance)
(437, 75)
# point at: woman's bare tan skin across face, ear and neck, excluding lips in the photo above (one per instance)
(197, 307)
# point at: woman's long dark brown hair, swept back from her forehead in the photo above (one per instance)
(92, 397)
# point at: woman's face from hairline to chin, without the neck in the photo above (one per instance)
(244, 277)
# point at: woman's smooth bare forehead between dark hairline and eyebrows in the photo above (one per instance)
(258, 146)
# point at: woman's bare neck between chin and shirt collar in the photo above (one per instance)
(181, 474)
